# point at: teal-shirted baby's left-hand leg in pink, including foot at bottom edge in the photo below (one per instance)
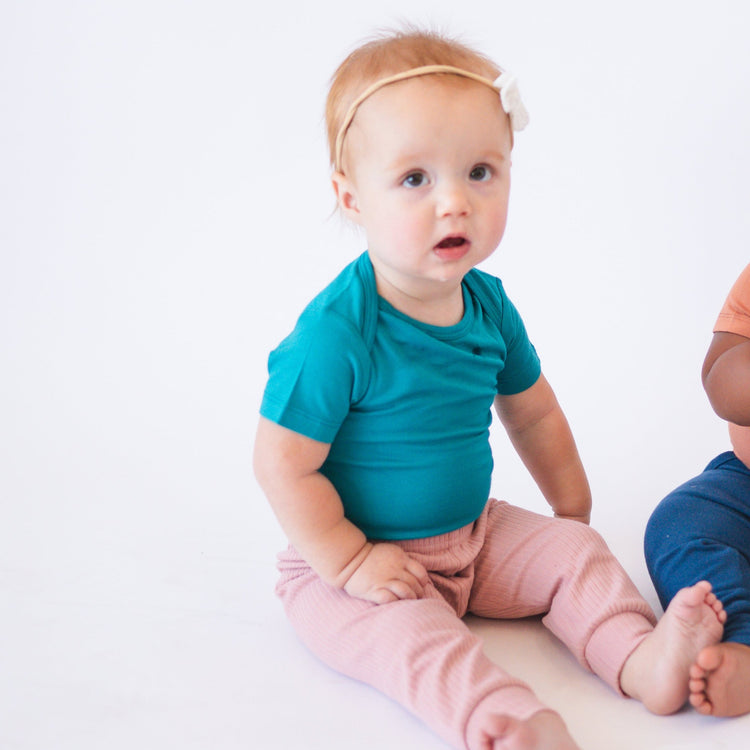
(422, 655)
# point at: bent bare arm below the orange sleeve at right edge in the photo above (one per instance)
(726, 377)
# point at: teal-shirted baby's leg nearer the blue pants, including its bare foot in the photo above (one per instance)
(534, 564)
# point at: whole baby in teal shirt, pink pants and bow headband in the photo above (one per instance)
(373, 444)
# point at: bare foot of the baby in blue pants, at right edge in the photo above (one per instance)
(720, 680)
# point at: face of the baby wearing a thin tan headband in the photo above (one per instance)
(428, 177)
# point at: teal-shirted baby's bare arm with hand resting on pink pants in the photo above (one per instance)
(312, 515)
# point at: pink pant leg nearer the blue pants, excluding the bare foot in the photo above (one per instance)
(533, 564)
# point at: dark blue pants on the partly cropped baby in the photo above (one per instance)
(701, 531)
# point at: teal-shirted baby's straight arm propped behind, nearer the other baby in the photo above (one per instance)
(542, 438)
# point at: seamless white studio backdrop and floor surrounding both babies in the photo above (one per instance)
(165, 213)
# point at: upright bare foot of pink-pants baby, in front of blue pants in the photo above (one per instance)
(657, 672)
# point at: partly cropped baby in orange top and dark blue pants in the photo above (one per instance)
(702, 529)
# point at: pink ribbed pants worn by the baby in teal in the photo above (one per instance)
(509, 563)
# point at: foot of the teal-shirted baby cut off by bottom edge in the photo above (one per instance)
(543, 731)
